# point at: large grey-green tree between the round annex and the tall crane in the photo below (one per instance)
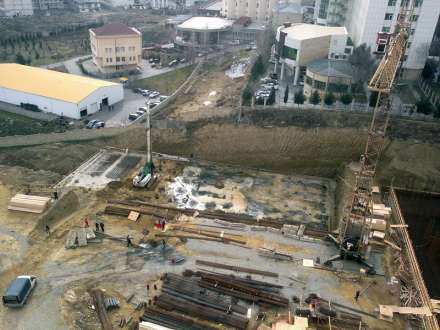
(363, 63)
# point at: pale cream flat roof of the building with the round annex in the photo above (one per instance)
(303, 31)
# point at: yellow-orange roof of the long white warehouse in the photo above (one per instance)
(48, 83)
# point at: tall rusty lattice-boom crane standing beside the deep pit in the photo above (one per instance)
(353, 237)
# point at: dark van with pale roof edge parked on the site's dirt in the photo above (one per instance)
(19, 290)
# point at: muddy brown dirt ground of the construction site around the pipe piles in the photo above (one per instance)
(61, 299)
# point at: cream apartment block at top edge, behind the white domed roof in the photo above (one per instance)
(258, 10)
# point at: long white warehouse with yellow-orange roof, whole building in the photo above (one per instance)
(56, 92)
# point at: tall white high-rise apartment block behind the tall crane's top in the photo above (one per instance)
(370, 21)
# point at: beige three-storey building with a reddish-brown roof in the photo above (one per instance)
(116, 47)
